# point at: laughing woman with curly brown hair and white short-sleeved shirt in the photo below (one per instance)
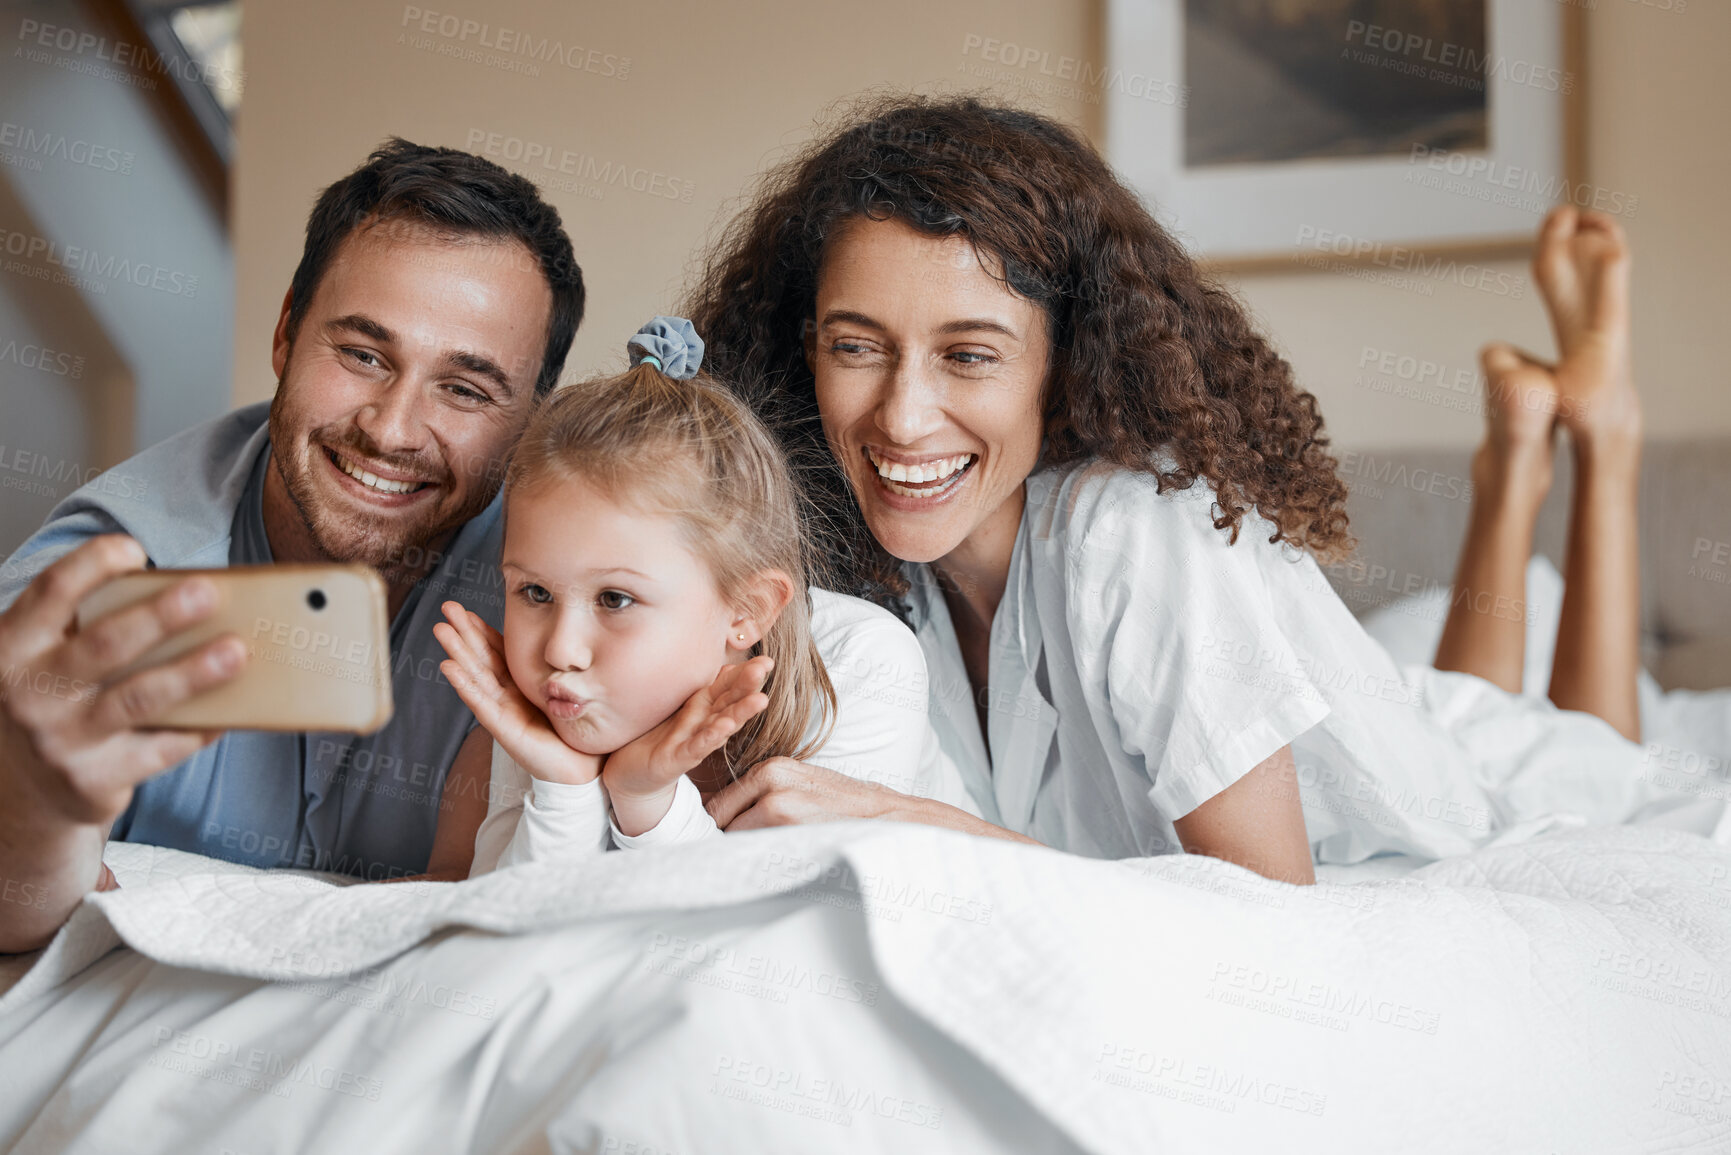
(1095, 493)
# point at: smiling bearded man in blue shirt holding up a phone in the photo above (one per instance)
(435, 302)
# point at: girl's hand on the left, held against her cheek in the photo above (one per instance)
(479, 673)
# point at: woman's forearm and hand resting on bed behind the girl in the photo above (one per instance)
(783, 792)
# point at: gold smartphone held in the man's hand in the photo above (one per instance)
(318, 638)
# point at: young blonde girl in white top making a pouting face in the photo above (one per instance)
(659, 635)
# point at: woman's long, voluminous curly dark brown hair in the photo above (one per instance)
(1147, 352)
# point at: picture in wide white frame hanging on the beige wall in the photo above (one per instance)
(1438, 124)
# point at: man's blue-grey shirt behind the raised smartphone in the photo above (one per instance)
(318, 801)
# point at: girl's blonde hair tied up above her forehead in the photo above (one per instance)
(693, 451)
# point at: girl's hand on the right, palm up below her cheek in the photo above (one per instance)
(643, 775)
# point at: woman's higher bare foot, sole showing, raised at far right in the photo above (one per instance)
(1583, 273)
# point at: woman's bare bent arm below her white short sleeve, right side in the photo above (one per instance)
(1256, 823)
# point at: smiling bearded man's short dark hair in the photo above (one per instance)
(453, 193)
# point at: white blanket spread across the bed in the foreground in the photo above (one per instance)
(889, 988)
